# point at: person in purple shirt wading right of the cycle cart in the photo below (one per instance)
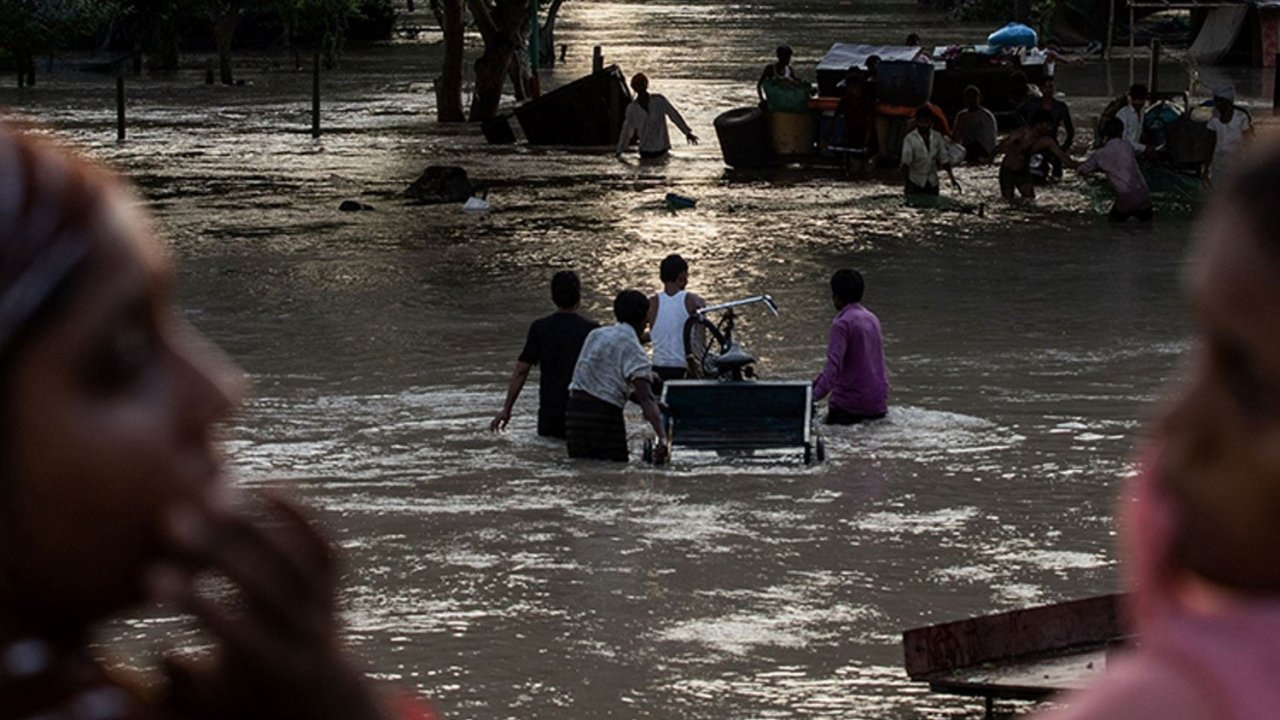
(854, 375)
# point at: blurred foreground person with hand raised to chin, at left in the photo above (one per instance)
(112, 489)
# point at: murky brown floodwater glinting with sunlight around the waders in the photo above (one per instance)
(1025, 348)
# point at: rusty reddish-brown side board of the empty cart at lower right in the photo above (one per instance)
(1009, 636)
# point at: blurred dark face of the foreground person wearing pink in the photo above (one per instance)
(1222, 438)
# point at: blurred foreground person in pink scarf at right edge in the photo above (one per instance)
(1201, 525)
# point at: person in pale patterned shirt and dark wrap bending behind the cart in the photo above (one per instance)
(612, 363)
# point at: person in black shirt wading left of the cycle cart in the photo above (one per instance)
(554, 343)
